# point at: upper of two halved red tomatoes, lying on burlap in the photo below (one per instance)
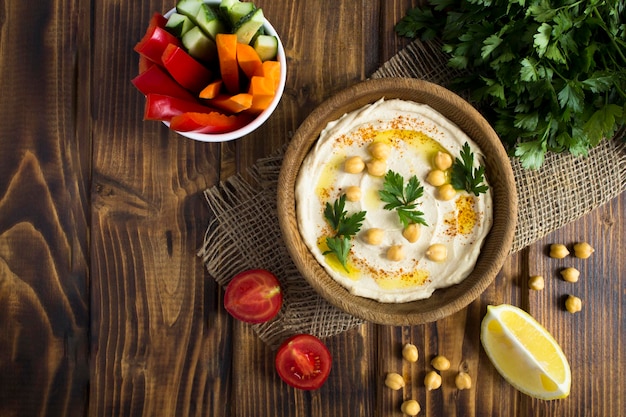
(253, 296)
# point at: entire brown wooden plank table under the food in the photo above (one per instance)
(105, 310)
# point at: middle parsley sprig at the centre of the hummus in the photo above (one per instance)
(403, 199)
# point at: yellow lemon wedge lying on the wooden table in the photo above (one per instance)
(525, 353)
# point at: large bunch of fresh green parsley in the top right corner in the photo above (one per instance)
(548, 75)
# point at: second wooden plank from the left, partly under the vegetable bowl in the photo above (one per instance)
(161, 342)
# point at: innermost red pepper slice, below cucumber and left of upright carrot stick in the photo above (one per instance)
(188, 72)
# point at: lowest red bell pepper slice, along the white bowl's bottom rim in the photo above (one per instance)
(214, 122)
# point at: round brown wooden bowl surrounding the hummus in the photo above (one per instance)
(495, 248)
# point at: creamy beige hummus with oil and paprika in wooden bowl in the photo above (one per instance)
(413, 135)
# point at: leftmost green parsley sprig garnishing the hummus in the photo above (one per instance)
(344, 227)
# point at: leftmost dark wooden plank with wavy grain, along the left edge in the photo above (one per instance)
(44, 213)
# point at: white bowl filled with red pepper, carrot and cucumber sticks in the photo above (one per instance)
(211, 70)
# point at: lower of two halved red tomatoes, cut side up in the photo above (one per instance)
(303, 361)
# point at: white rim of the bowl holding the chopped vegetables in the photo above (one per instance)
(261, 117)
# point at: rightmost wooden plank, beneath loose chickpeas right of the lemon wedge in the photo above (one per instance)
(593, 339)
